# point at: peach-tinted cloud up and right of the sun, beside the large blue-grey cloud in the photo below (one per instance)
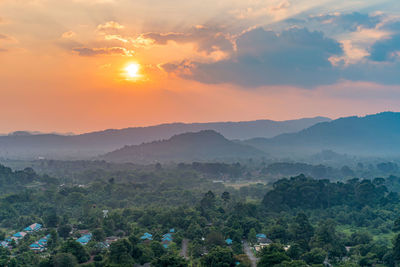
(208, 39)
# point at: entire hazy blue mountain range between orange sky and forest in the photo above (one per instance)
(373, 135)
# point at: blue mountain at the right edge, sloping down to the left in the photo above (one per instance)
(372, 135)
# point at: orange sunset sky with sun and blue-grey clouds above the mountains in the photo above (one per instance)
(85, 65)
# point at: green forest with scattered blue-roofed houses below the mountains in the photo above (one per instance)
(199, 214)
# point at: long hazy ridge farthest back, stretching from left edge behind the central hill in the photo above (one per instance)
(25, 145)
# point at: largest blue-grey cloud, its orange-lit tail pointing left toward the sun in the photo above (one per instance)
(292, 57)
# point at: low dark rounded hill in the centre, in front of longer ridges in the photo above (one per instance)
(198, 146)
